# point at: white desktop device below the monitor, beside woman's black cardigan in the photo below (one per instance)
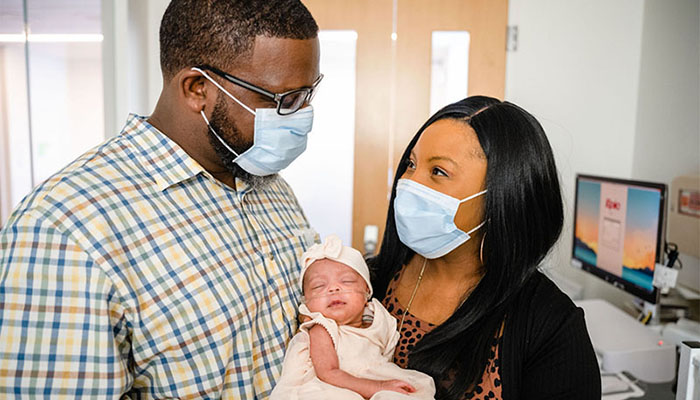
(624, 344)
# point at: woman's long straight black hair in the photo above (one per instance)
(524, 217)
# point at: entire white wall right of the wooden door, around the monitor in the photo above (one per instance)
(589, 71)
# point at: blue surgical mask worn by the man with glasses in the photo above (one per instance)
(277, 139)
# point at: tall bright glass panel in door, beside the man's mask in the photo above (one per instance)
(322, 177)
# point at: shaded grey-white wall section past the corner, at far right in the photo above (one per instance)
(668, 112)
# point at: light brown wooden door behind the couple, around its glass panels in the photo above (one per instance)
(393, 67)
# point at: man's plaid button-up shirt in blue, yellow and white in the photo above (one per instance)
(133, 271)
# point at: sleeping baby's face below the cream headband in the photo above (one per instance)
(336, 291)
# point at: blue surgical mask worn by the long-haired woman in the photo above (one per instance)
(425, 219)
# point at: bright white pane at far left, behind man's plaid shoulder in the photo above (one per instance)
(66, 97)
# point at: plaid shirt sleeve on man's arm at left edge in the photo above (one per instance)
(63, 330)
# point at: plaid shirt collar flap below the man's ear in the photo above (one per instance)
(166, 161)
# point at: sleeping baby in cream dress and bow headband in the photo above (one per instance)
(338, 354)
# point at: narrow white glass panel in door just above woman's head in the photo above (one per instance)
(449, 68)
